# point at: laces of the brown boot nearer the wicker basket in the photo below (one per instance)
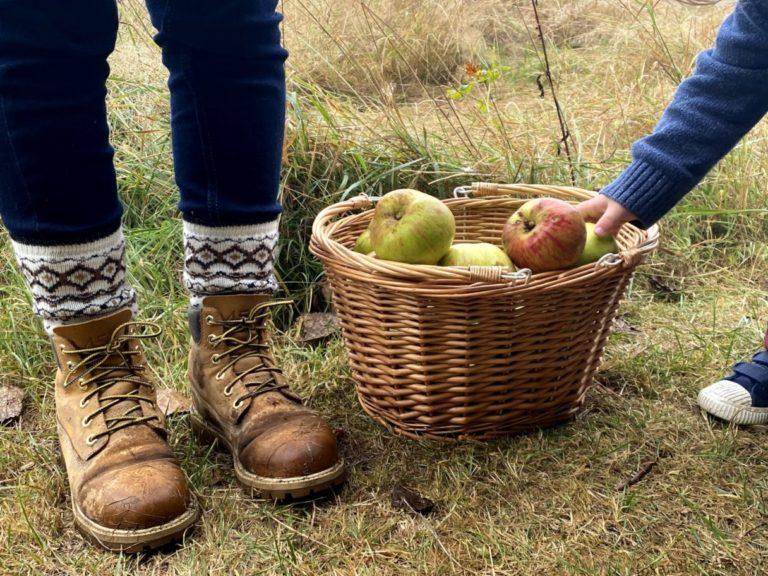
(242, 338)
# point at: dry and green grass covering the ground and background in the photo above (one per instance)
(369, 111)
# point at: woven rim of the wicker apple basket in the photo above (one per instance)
(455, 280)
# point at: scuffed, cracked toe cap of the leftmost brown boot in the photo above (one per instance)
(137, 497)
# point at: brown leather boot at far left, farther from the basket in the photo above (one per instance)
(128, 492)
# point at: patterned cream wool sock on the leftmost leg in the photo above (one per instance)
(74, 282)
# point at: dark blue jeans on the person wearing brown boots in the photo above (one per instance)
(227, 83)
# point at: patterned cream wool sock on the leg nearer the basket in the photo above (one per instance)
(229, 259)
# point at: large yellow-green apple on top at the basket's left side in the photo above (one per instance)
(412, 227)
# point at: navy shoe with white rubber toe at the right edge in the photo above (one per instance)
(742, 398)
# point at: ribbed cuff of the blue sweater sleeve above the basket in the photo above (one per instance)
(646, 191)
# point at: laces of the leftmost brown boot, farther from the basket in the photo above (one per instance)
(105, 366)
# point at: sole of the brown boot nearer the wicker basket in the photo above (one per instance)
(278, 489)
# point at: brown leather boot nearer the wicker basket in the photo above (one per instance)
(280, 448)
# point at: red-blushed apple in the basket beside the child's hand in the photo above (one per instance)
(545, 234)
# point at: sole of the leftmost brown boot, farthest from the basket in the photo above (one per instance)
(141, 540)
